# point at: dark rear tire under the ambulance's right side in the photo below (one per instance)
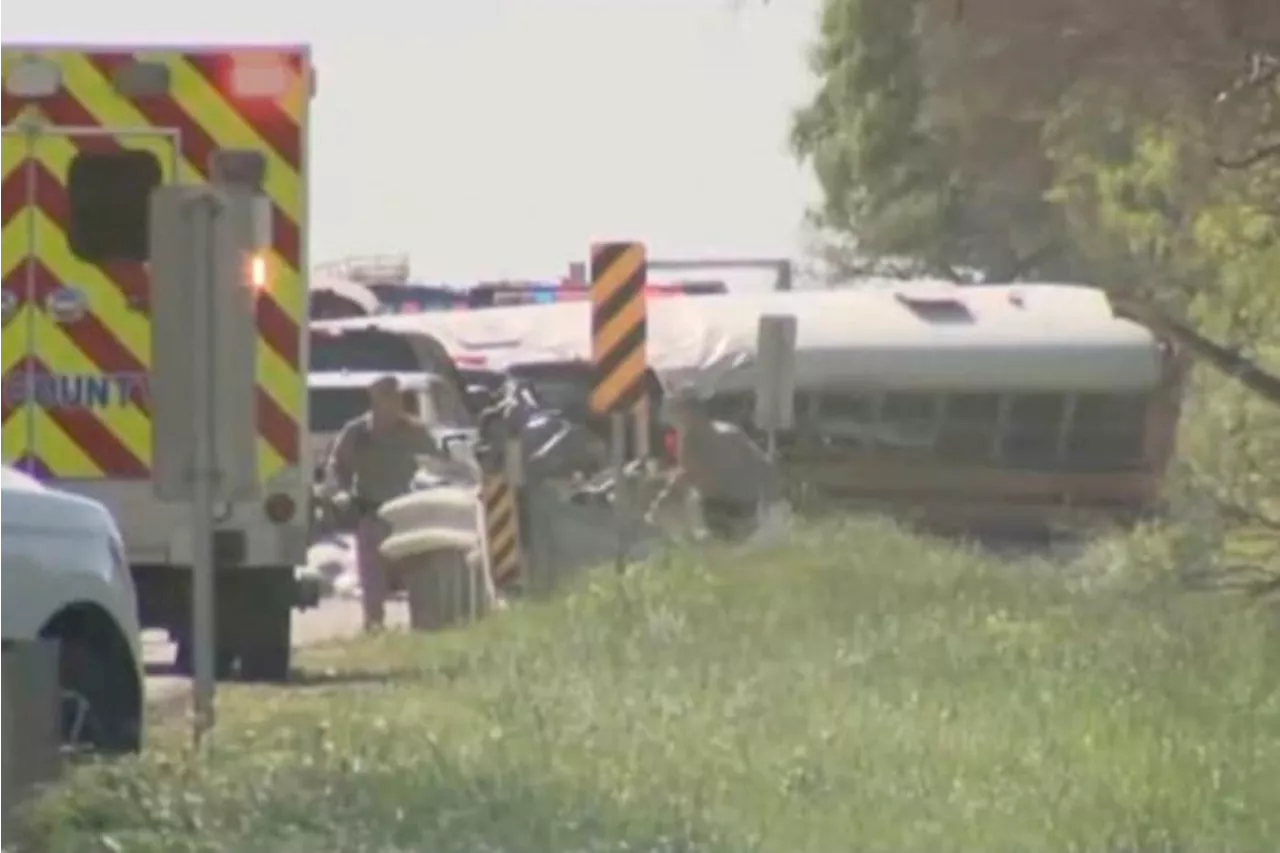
(267, 628)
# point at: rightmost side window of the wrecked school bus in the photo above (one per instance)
(1108, 432)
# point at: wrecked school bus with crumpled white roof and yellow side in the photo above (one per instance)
(984, 408)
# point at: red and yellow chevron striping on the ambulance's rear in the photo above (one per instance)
(44, 358)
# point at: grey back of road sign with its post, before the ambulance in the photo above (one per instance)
(205, 268)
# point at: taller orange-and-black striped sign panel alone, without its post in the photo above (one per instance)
(619, 327)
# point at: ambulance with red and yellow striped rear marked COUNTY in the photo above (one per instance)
(86, 135)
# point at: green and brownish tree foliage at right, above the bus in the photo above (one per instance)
(1131, 144)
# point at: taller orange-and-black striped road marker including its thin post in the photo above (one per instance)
(620, 357)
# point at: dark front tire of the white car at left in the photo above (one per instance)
(99, 714)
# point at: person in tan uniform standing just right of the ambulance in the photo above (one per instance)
(374, 462)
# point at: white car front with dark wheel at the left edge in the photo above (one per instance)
(65, 576)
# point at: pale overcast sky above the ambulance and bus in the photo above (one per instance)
(499, 138)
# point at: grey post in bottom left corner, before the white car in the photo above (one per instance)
(30, 723)
